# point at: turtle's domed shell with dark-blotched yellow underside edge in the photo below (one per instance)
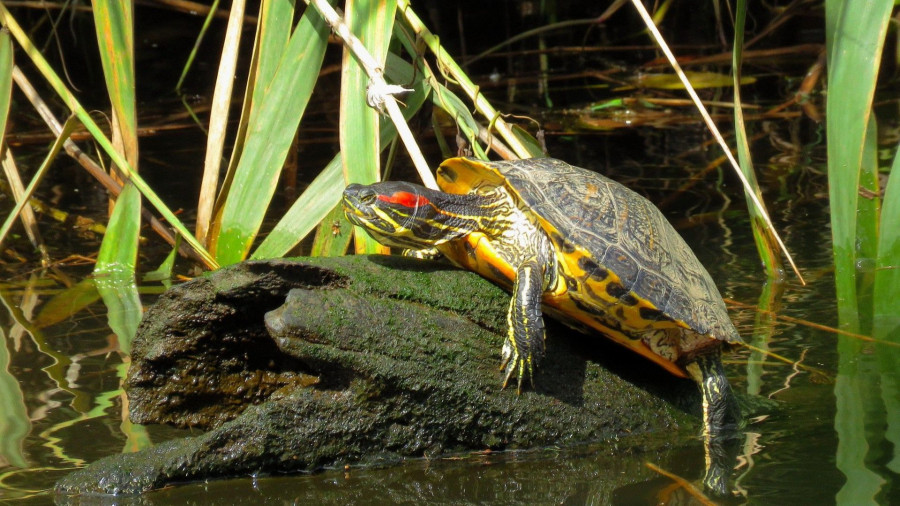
(625, 267)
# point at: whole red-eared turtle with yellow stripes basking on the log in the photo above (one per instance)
(571, 243)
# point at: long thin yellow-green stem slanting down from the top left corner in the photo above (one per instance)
(59, 87)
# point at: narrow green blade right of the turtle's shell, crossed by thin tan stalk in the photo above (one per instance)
(766, 245)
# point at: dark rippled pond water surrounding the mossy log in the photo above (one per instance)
(831, 437)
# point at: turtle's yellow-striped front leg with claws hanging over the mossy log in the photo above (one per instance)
(524, 344)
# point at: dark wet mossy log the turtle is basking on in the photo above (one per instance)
(299, 365)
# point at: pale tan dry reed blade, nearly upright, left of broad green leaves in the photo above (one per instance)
(218, 119)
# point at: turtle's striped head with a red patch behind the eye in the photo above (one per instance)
(404, 215)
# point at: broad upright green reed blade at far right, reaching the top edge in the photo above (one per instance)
(853, 58)
